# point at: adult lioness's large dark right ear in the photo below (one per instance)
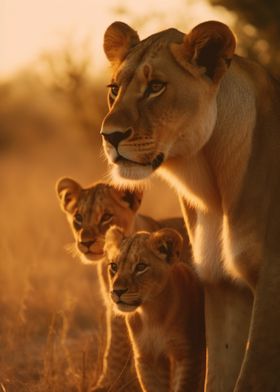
(209, 45)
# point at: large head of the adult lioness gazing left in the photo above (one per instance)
(162, 96)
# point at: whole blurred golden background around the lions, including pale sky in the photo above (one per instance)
(53, 75)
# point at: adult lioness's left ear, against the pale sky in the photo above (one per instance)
(119, 38)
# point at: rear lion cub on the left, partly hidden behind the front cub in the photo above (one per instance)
(91, 212)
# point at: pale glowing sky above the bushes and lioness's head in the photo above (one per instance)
(30, 27)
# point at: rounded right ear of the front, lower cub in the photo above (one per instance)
(167, 244)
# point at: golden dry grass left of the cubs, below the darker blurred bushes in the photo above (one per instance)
(49, 329)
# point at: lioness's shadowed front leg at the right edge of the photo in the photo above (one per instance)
(261, 366)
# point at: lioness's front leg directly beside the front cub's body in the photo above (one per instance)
(228, 312)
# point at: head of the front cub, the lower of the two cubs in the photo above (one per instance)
(139, 266)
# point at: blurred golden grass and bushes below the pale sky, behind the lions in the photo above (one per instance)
(51, 312)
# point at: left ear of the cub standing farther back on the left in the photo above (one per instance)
(68, 192)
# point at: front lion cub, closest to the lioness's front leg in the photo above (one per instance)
(163, 305)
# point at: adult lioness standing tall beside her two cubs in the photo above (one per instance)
(185, 107)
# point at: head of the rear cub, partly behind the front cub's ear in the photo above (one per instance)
(92, 211)
